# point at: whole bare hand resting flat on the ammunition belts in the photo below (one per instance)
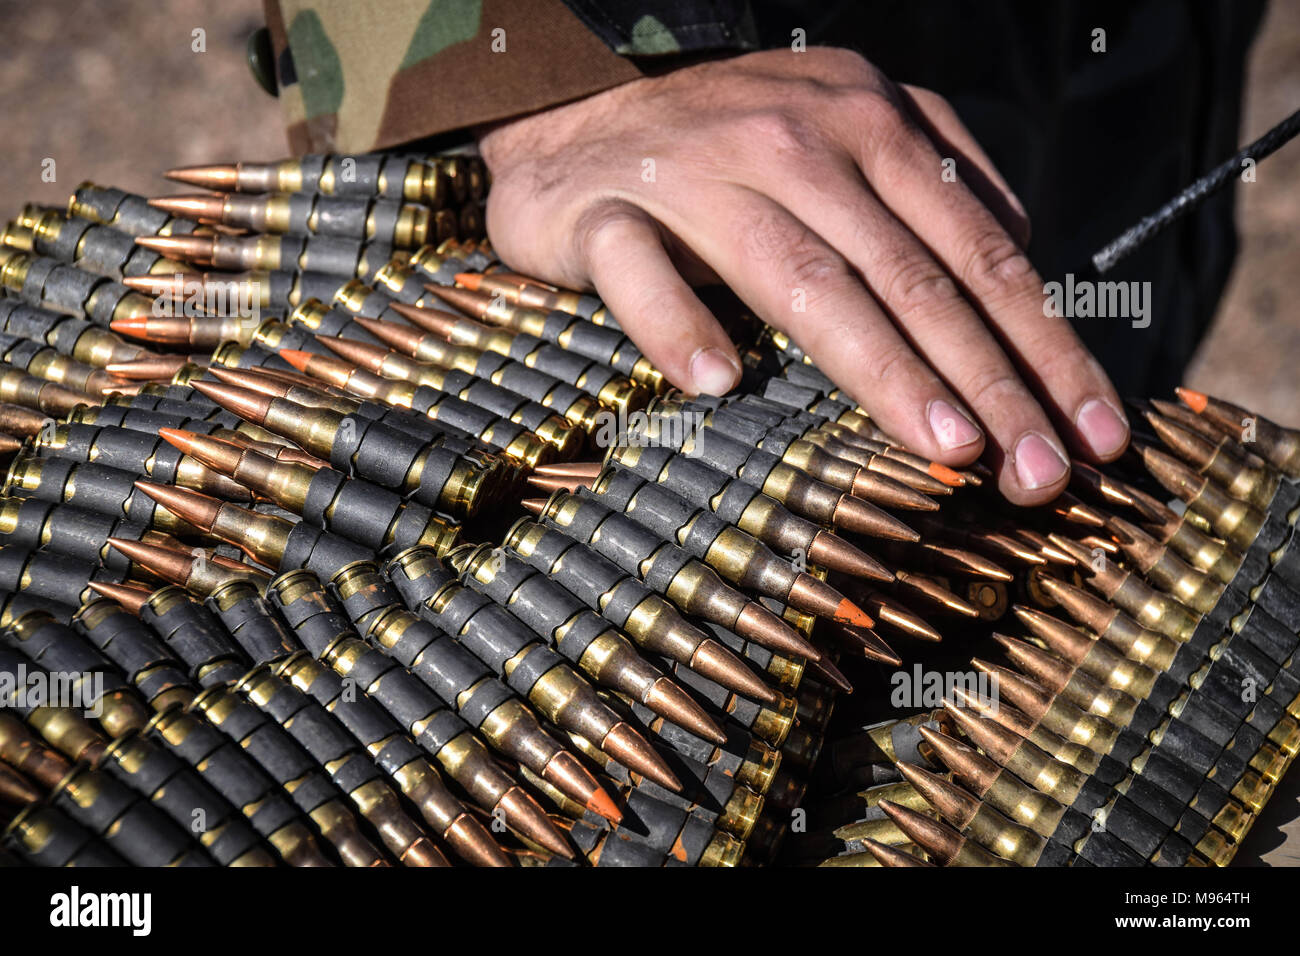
(812, 185)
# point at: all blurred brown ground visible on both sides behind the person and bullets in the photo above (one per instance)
(115, 93)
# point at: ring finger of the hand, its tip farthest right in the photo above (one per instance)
(903, 167)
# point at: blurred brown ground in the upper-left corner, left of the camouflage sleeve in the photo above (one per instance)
(115, 93)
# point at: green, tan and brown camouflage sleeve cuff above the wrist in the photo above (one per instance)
(356, 77)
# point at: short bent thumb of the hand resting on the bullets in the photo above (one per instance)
(625, 257)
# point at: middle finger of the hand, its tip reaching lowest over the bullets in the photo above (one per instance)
(935, 318)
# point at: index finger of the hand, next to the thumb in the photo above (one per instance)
(798, 283)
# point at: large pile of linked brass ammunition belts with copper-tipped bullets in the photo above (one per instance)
(326, 539)
